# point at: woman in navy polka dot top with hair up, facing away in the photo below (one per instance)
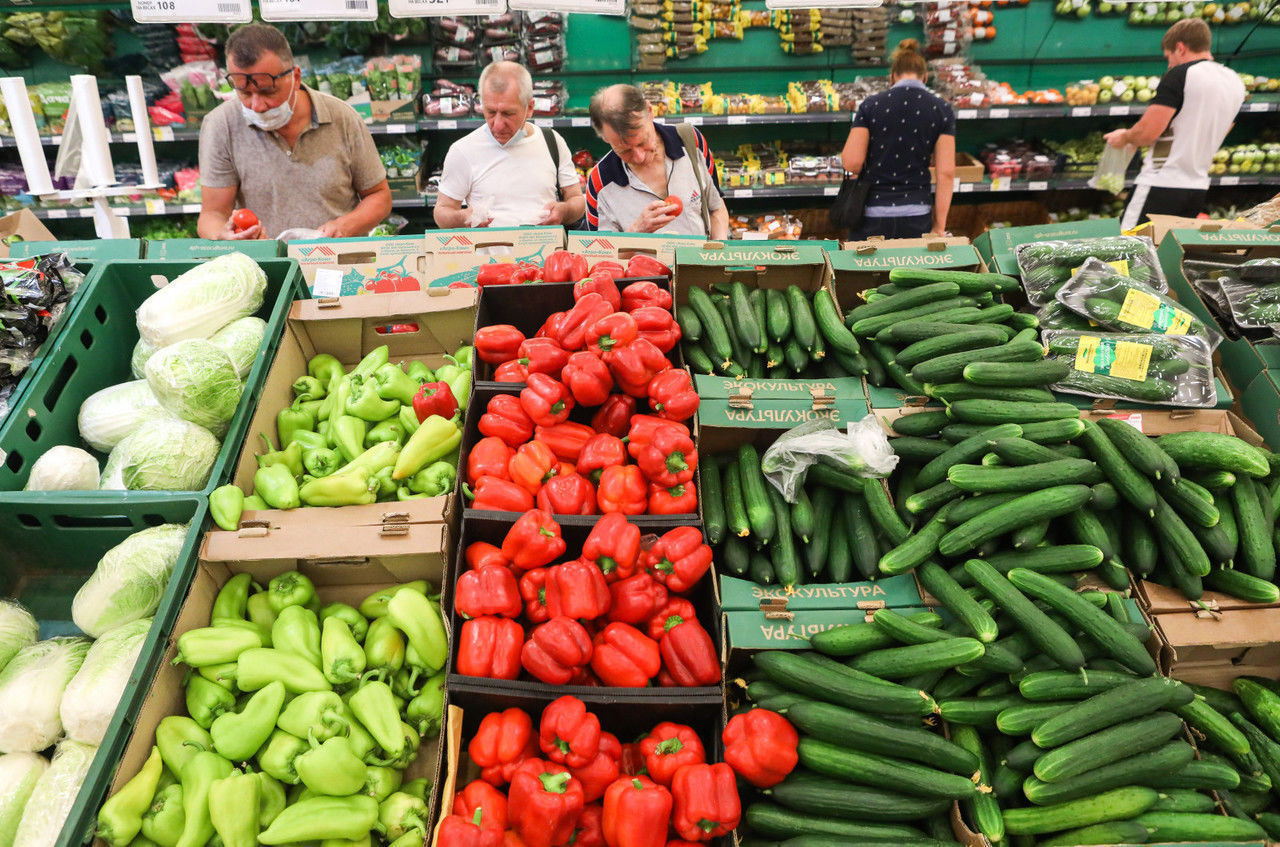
(895, 136)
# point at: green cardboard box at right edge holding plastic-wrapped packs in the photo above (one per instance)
(1242, 359)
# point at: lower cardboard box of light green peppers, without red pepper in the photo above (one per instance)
(356, 561)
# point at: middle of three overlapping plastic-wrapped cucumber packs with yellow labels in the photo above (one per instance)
(1123, 305)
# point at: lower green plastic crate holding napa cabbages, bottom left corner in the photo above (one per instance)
(49, 551)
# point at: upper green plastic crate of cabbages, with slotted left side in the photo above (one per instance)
(93, 352)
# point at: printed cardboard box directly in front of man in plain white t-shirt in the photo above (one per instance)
(454, 255)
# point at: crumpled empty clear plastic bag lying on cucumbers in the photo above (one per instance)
(862, 450)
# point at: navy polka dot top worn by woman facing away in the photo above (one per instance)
(904, 125)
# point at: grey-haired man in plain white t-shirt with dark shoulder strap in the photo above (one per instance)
(505, 171)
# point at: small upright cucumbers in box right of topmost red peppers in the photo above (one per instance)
(767, 333)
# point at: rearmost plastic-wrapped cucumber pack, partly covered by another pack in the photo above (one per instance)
(1046, 265)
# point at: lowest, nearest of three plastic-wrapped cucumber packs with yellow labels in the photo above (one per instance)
(1172, 370)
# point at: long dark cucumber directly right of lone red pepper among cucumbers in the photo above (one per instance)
(883, 772)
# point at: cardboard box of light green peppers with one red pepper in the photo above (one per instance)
(350, 328)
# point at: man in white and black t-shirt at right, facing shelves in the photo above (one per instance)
(1195, 107)
